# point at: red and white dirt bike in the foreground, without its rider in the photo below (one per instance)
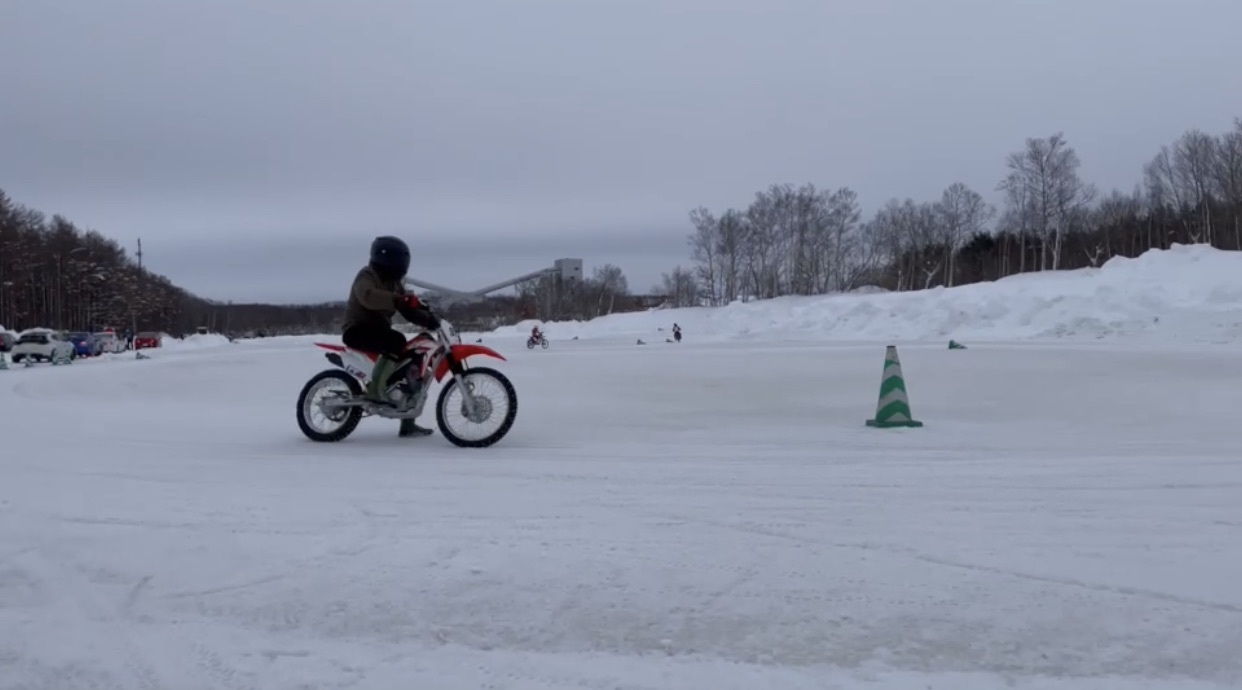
(337, 394)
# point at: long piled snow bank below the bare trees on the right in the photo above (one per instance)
(1184, 293)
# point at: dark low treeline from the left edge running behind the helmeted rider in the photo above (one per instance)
(57, 275)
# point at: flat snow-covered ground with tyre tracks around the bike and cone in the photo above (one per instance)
(712, 514)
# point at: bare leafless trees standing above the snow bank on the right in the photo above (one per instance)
(799, 241)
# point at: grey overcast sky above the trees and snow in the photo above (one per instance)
(259, 146)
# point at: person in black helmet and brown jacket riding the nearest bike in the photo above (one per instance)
(377, 295)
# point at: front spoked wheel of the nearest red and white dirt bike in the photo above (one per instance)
(496, 408)
